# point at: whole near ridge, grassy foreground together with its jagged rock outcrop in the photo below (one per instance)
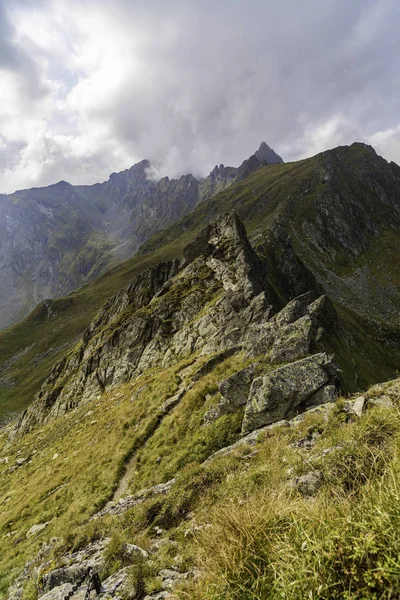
(141, 455)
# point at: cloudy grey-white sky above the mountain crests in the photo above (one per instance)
(91, 87)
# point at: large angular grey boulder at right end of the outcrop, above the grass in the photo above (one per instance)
(289, 390)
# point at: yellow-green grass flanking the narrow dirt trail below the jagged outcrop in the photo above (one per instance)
(76, 462)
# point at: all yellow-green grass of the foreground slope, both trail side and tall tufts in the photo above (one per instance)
(251, 533)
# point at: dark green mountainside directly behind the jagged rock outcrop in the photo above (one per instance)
(288, 209)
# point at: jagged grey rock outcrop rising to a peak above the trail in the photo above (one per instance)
(214, 301)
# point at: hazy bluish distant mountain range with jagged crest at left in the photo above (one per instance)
(55, 239)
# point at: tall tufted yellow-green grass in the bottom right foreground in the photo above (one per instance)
(266, 541)
